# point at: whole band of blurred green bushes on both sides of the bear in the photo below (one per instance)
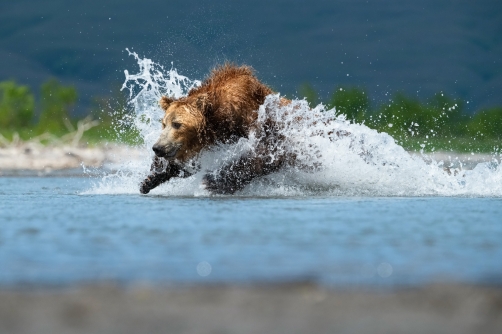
(438, 123)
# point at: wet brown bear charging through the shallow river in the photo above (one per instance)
(222, 110)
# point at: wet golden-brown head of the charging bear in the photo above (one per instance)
(183, 127)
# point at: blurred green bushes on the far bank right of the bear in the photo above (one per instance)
(439, 123)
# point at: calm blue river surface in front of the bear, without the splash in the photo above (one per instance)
(52, 231)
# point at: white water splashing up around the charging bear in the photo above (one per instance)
(333, 156)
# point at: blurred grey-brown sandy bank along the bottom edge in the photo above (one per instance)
(295, 308)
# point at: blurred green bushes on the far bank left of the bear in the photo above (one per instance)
(22, 115)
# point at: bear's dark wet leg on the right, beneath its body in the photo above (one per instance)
(240, 173)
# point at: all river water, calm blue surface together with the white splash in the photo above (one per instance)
(355, 209)
